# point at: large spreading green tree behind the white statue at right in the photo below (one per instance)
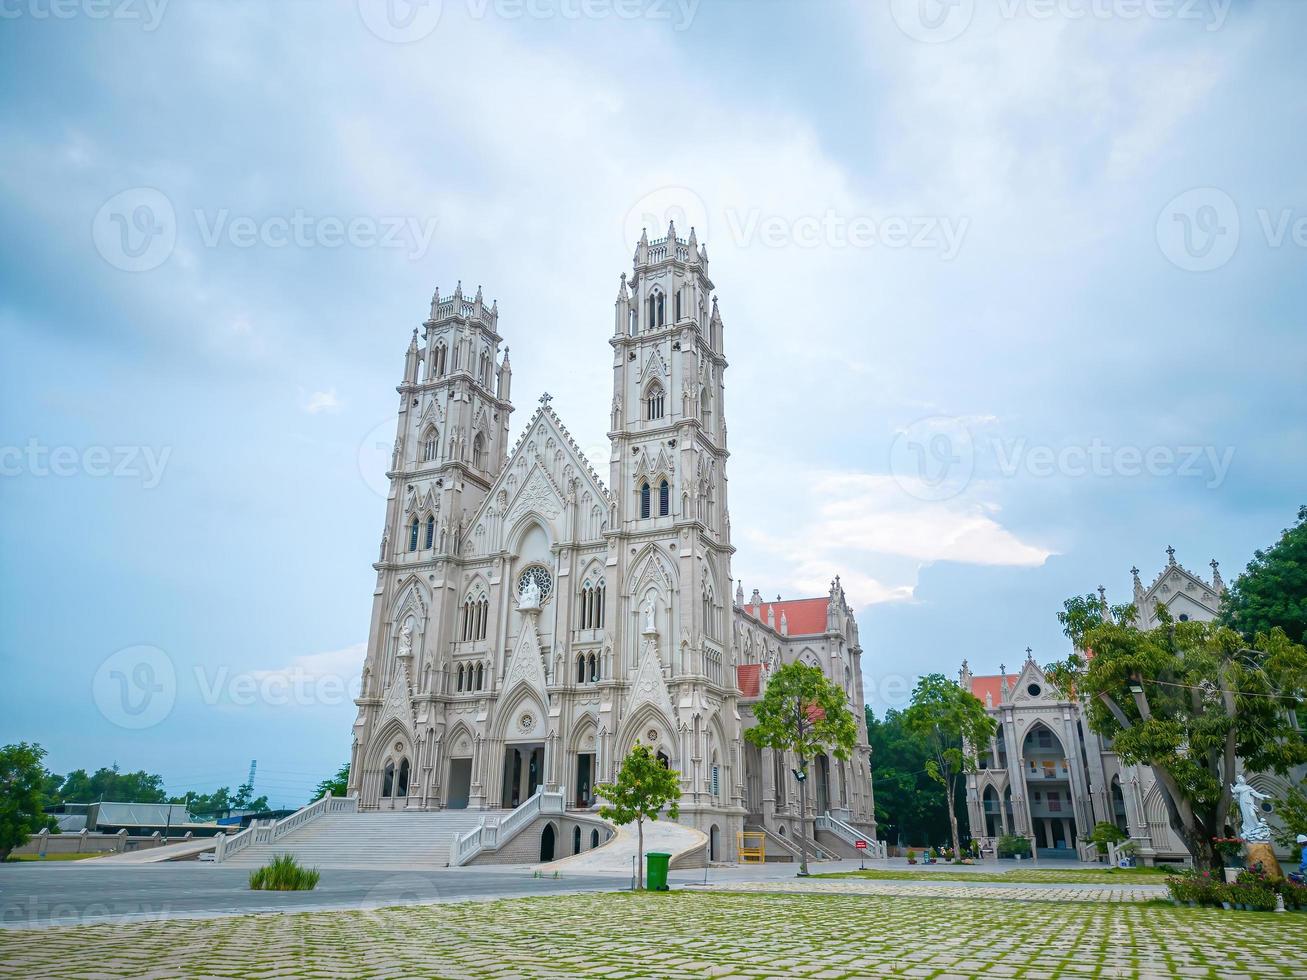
(1193, 701)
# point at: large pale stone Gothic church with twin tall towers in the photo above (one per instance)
(531, 623)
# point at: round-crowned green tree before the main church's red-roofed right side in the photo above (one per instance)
(806, 714)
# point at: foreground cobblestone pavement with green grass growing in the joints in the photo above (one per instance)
(684, 935)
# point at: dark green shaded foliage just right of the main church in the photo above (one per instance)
(910, 807)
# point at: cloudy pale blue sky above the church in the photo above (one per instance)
(1014, 301)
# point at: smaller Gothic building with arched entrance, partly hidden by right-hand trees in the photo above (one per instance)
(1048, 777)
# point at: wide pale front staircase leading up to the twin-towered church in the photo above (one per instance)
(401, 841)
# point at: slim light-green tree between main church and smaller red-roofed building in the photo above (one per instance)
(948, 719)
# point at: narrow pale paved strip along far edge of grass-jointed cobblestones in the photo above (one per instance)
(1015, 892)
